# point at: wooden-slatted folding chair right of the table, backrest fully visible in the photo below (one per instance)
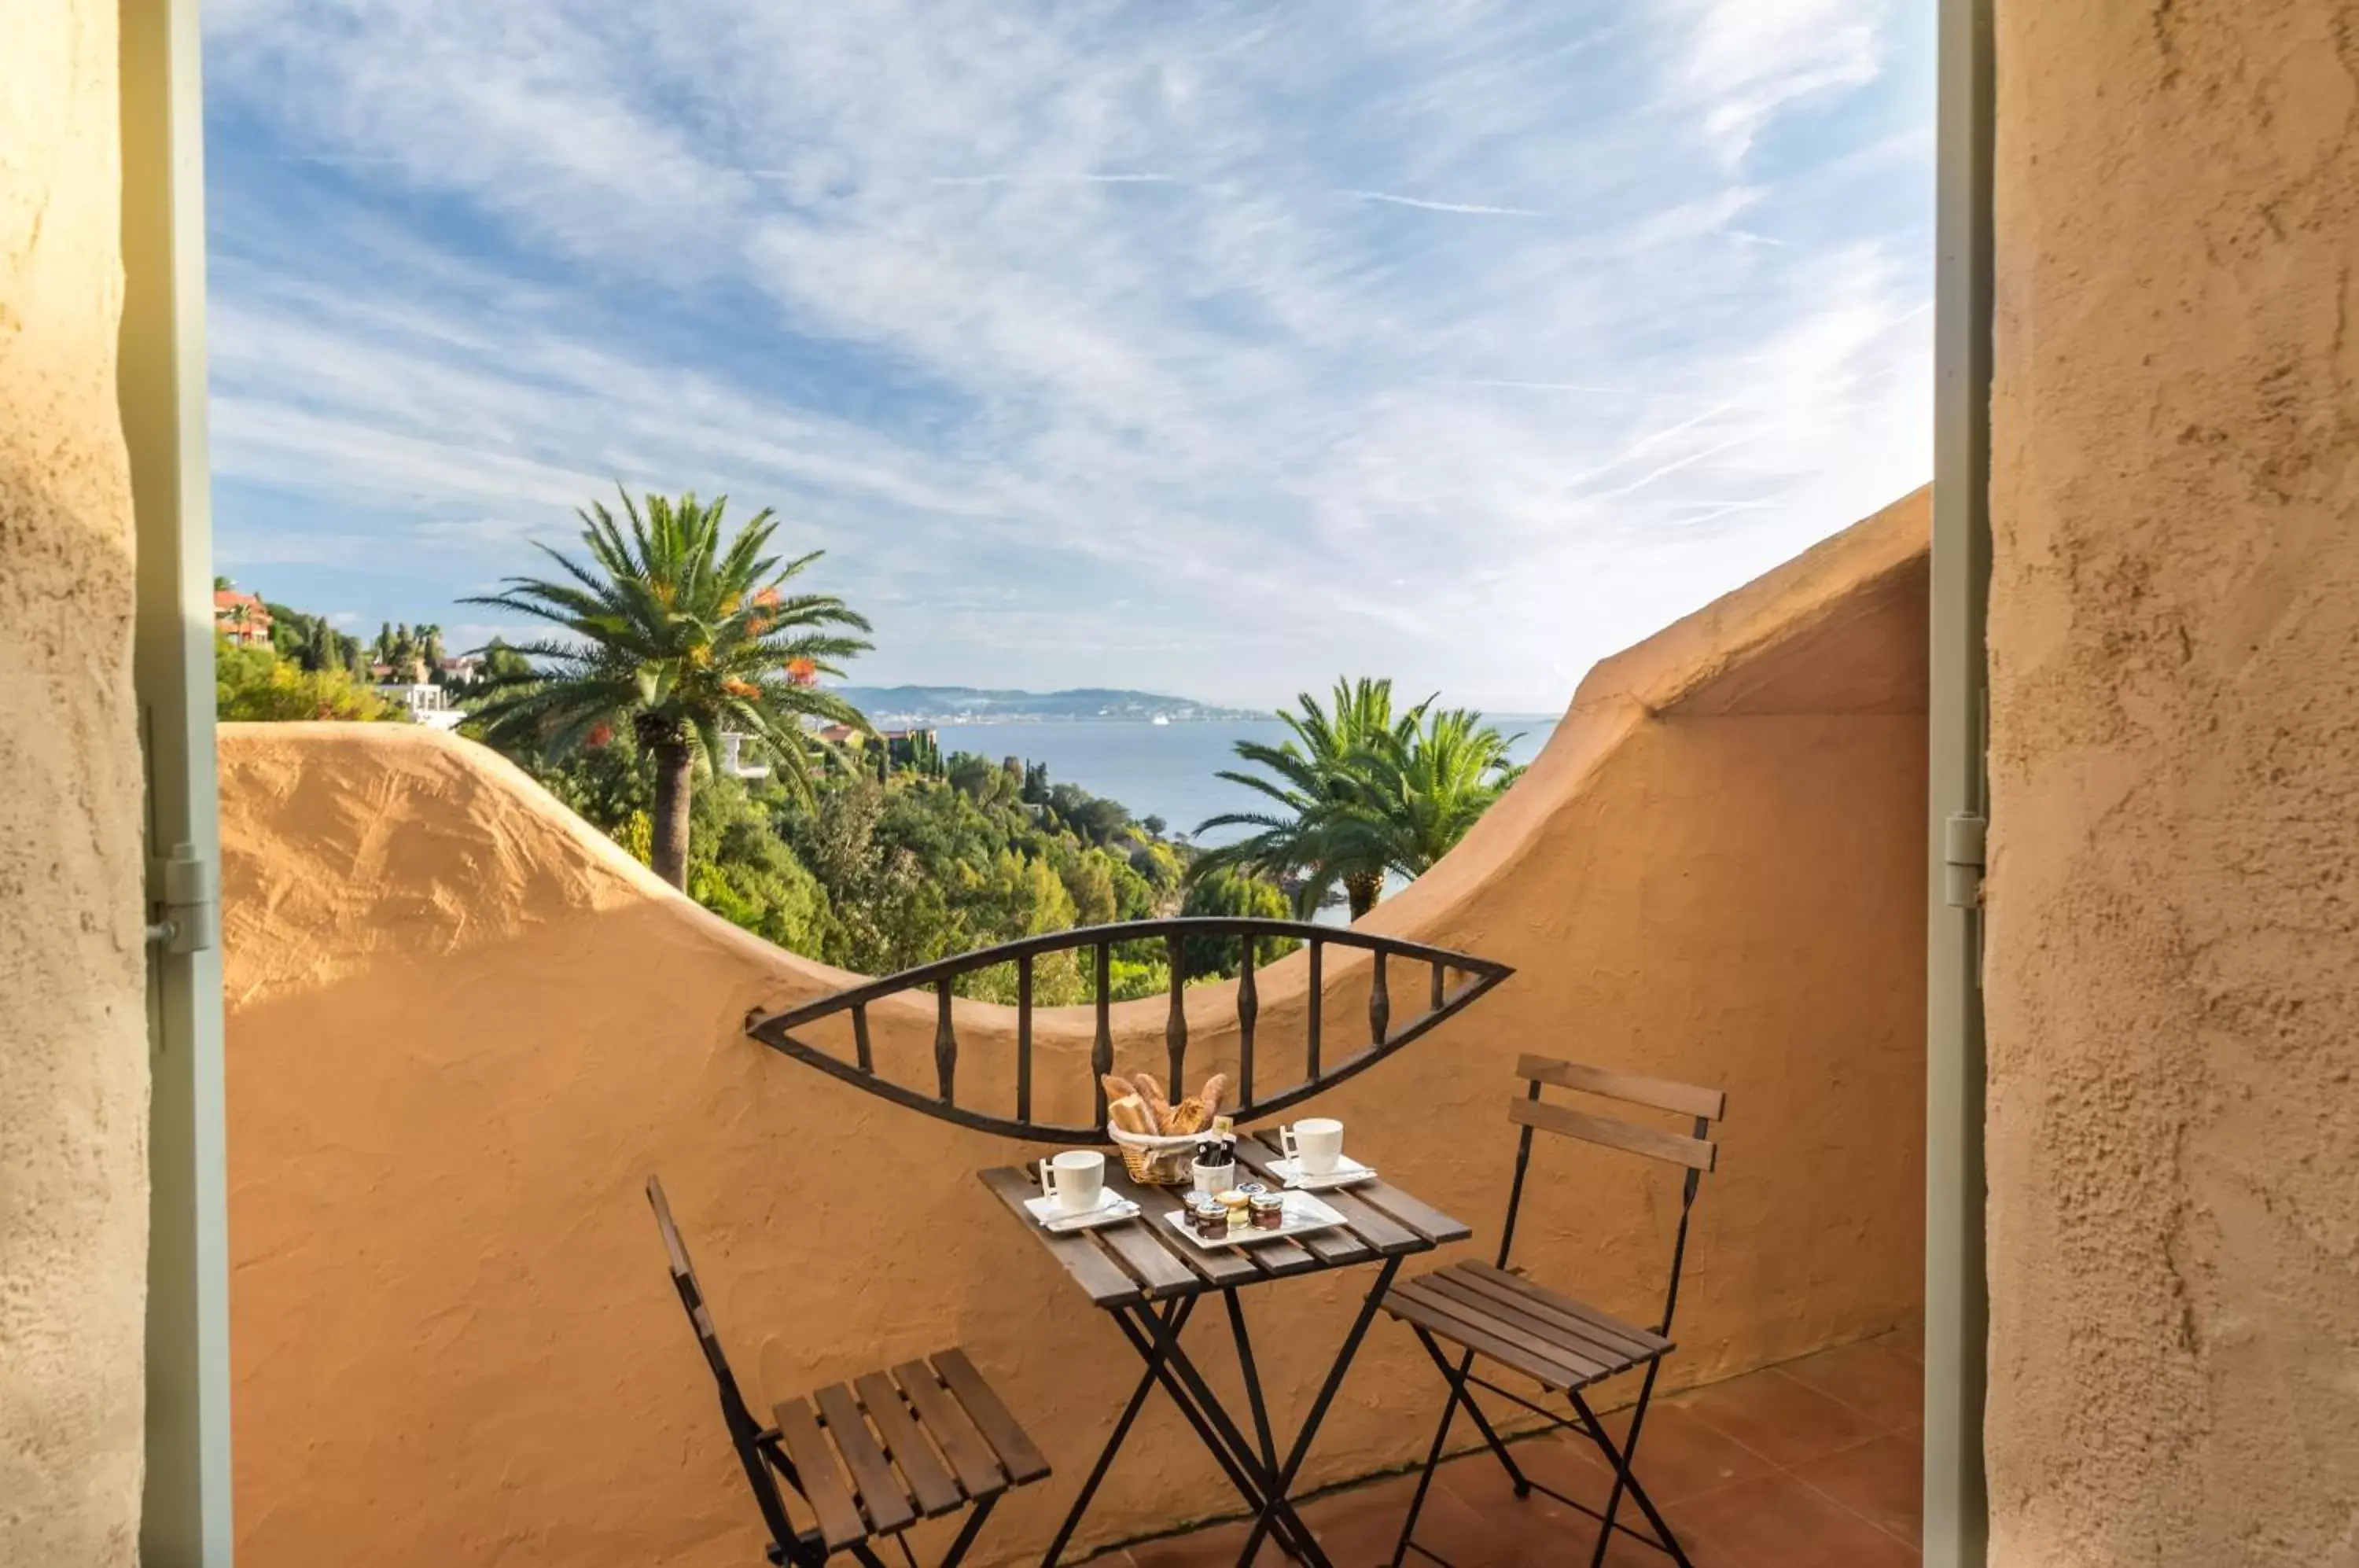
(1565, 1345)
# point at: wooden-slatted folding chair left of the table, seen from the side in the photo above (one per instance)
(874, 1456)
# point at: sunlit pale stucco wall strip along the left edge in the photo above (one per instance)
(72, 970)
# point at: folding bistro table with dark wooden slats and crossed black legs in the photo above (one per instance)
(1150, 1282)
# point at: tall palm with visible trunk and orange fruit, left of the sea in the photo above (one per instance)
(685, 635)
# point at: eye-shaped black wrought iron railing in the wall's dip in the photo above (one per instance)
(1452, 982)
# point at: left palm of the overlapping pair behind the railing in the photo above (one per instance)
(1329, 824)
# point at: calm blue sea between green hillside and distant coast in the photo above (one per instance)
(1164, 770)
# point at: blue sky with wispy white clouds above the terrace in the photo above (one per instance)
(1200, 348)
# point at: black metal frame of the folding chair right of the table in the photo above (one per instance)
(1464, 1381)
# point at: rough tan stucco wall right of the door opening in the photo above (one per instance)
(2174, 940)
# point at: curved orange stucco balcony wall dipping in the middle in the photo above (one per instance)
(466, 1027)
